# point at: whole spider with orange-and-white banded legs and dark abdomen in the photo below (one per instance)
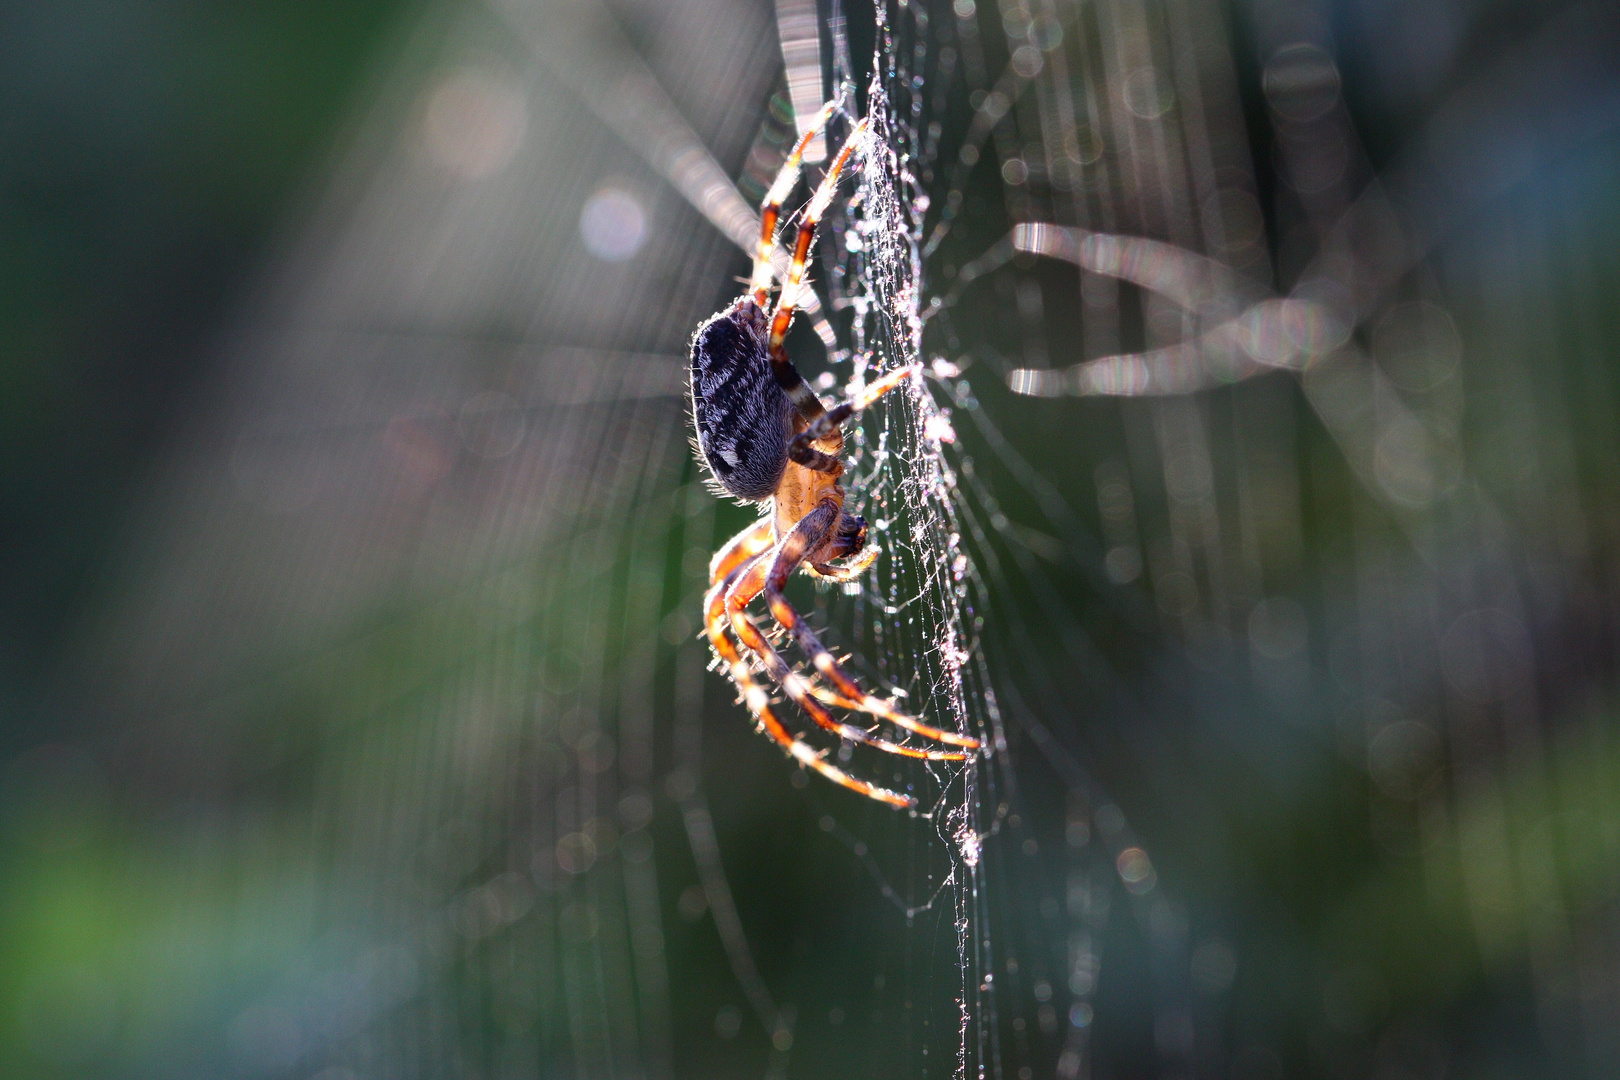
(769, 440)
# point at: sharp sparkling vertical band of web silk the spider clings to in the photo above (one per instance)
(927, 616)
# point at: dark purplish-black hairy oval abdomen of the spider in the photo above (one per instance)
(743, 417)
